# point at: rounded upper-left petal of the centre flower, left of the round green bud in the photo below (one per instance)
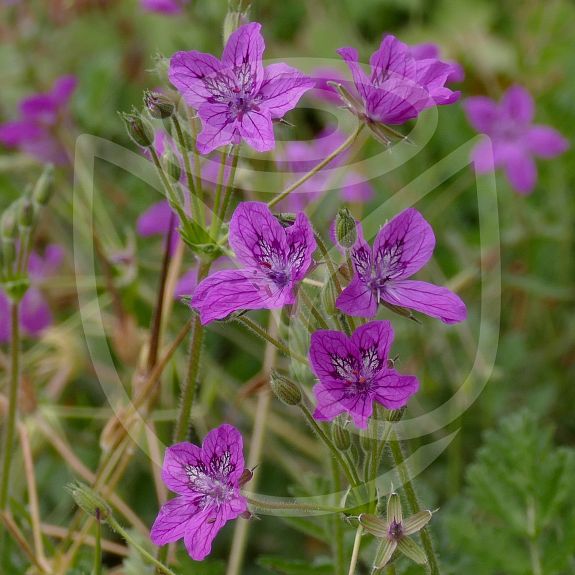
(255, 234)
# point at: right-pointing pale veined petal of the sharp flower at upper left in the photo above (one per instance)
(282, 88)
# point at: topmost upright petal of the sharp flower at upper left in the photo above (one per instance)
(243, 54)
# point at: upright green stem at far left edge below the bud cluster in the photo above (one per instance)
(12, 405)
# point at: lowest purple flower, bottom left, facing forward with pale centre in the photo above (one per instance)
(207, 481)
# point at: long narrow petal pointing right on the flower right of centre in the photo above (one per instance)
(426, 298)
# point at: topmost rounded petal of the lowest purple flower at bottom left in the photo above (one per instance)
(222, 453)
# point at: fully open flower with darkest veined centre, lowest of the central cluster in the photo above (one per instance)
(353, 372)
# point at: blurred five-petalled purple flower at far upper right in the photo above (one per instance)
(513, 138)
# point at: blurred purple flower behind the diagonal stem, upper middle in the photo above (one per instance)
(301, 157)
